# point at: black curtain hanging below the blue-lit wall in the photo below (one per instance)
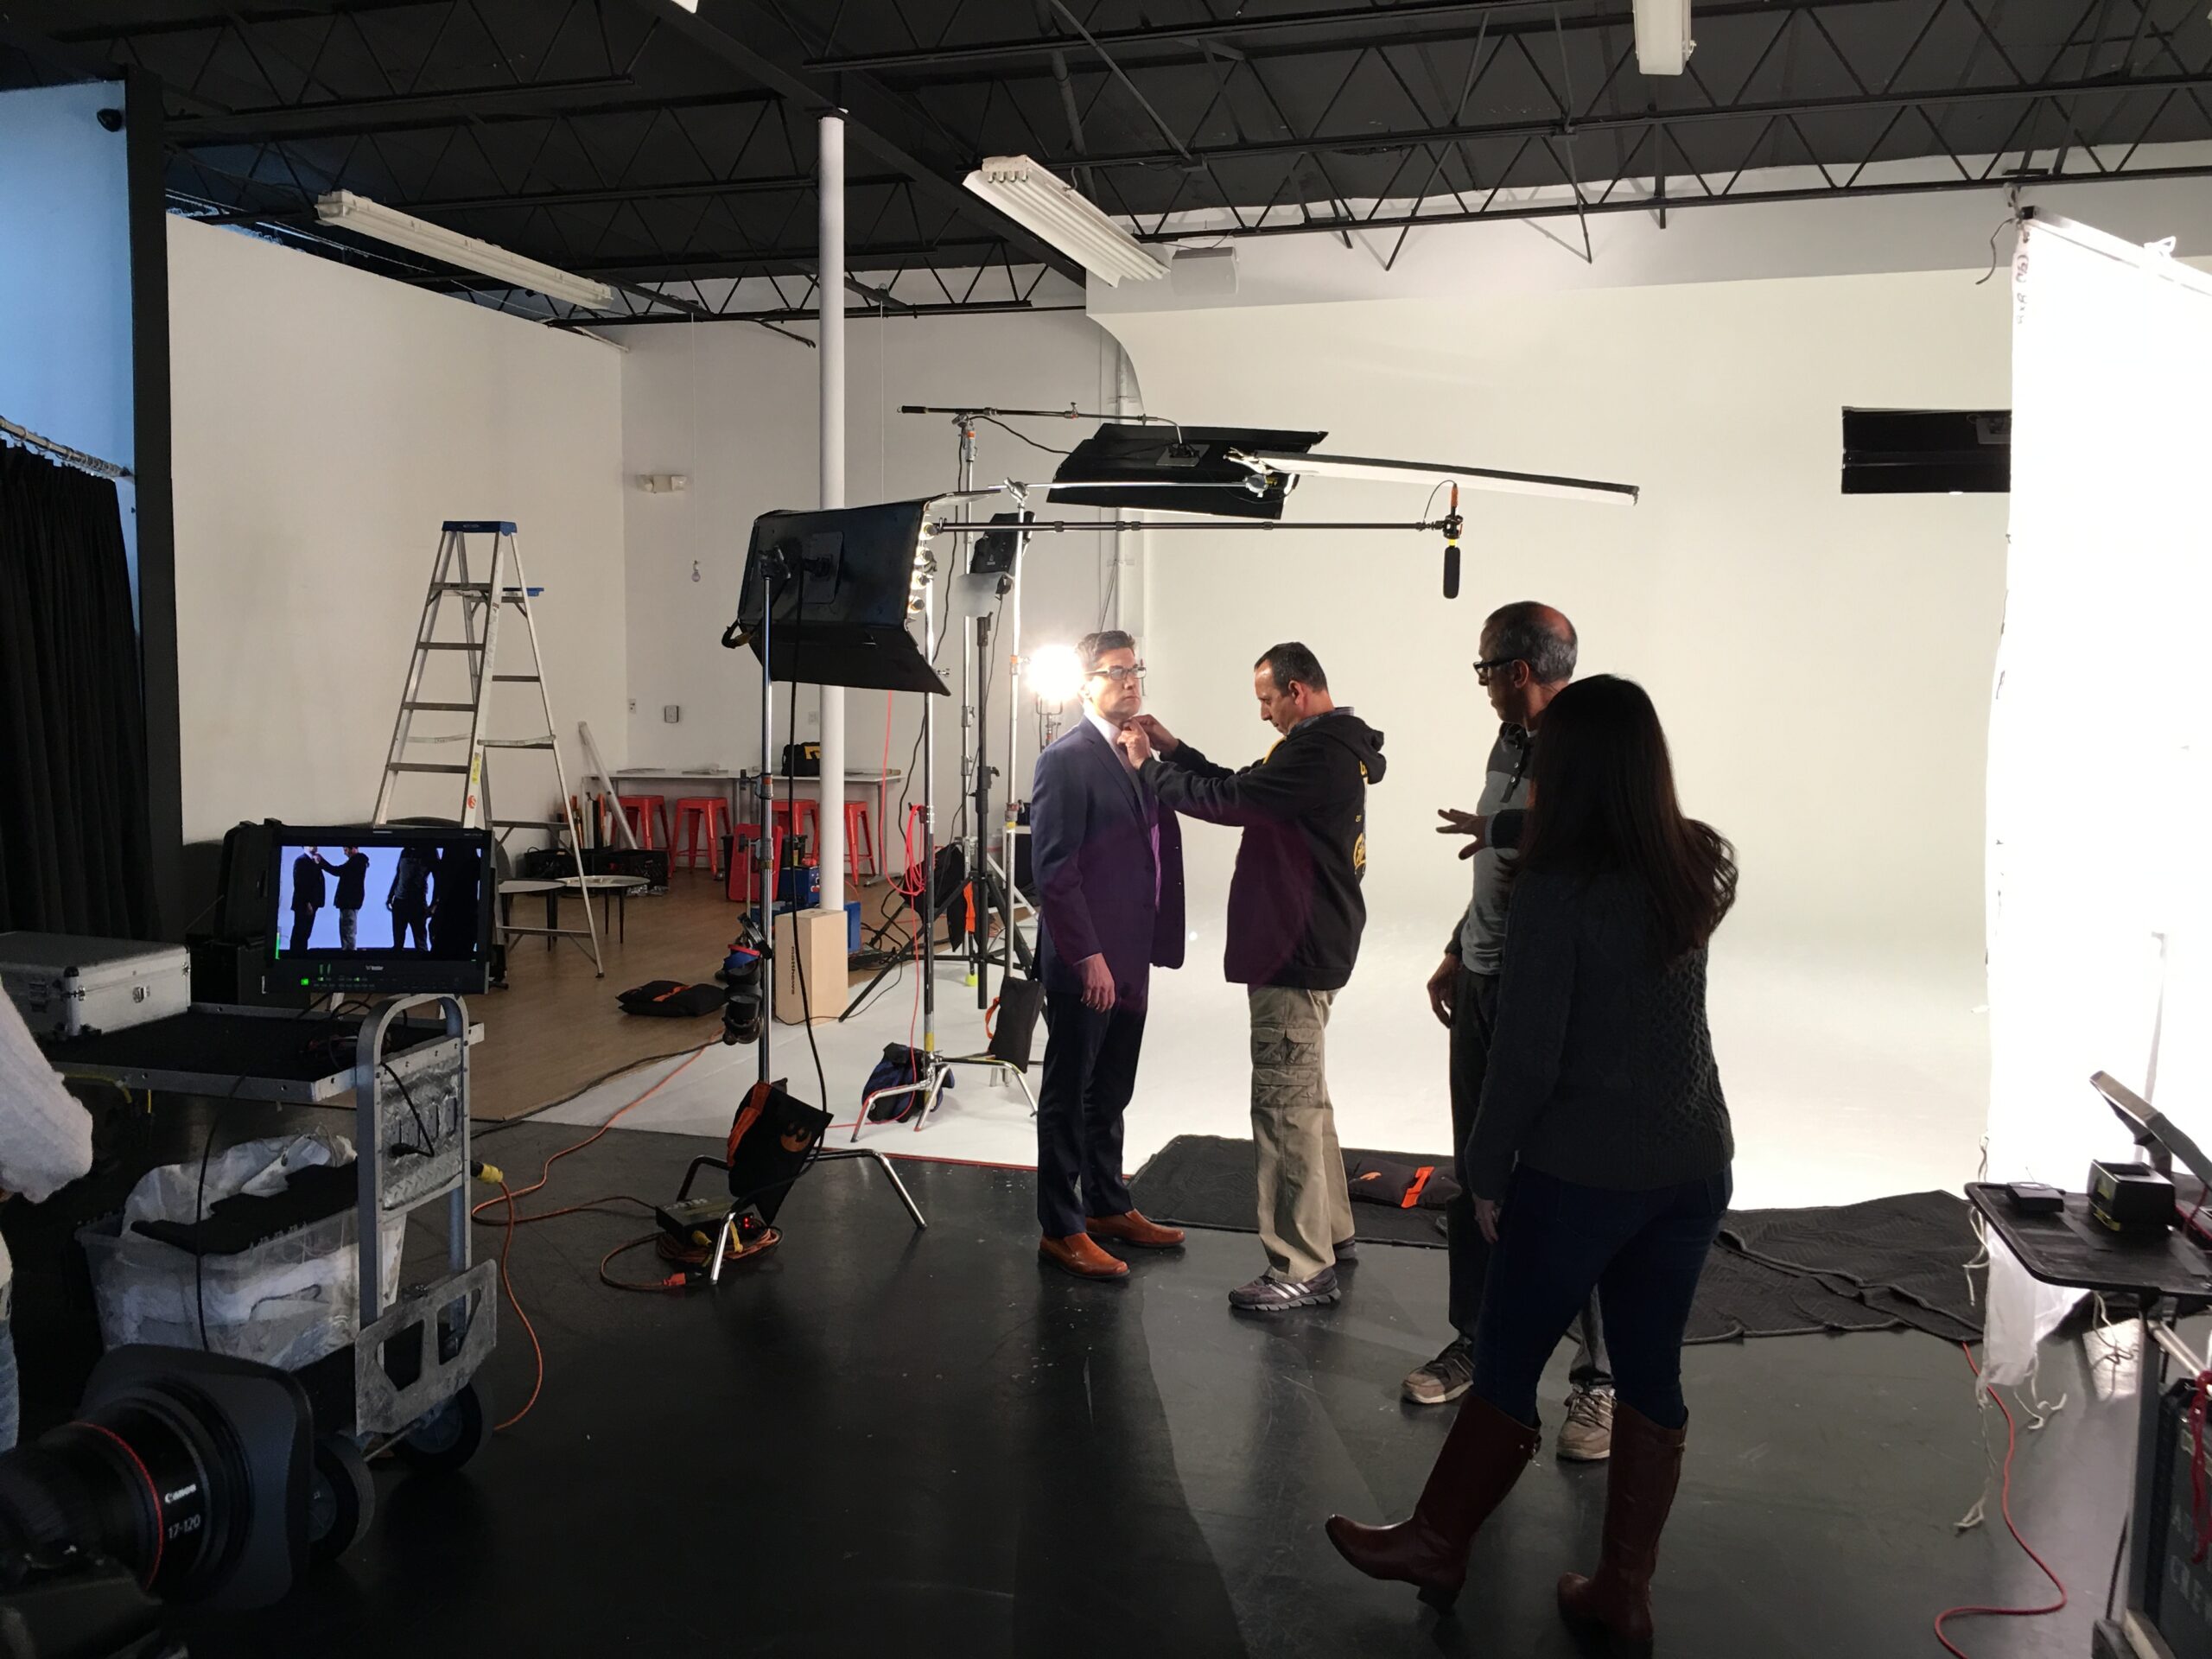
(76, 851)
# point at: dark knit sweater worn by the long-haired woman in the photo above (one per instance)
(1600, 1067)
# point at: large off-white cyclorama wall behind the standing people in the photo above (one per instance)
(1822, 662)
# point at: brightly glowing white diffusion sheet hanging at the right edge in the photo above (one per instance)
(2100, 906)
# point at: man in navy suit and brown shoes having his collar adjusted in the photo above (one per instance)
(1109, 875)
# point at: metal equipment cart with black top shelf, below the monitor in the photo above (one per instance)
(408, 1381)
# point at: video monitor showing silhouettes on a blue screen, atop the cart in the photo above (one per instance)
(379, 908)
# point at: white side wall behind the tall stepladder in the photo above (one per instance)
(326, 424)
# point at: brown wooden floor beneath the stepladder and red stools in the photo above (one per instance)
(559, 1030)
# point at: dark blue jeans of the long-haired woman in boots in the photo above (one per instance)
(1640, 1251)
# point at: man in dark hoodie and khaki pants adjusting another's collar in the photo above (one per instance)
(1293, 937)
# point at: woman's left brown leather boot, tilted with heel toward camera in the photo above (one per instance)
(1479, 1465)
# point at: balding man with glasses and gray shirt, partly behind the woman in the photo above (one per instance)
(1527, 660)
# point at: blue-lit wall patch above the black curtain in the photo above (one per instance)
(65, 273)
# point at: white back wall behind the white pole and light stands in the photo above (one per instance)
(733, 408)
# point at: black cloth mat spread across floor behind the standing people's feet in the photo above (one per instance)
(1877, 1266)
